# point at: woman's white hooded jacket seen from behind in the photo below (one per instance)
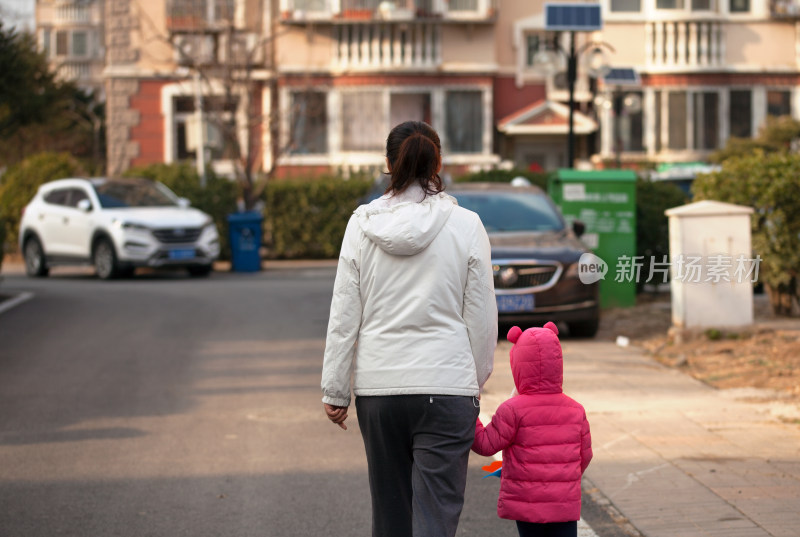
(413, 309)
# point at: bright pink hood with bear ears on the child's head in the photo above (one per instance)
(536, 360)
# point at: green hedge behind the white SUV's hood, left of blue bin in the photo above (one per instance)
(218, 198)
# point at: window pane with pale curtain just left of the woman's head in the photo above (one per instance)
(363, 125)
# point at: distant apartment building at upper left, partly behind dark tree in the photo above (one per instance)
(71, 35)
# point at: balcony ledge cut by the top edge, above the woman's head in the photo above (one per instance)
(368, 10)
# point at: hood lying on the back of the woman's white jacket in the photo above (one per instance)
(403, 225)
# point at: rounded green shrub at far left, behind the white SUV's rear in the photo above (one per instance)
(21, 181)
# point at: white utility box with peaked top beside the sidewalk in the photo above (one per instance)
(712, 265)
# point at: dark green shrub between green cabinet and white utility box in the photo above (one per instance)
(652, 225)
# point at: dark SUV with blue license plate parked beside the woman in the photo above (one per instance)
(534, 255)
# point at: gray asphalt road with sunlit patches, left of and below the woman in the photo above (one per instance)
(169, 406)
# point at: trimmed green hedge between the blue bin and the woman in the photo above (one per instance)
(307, 218)
